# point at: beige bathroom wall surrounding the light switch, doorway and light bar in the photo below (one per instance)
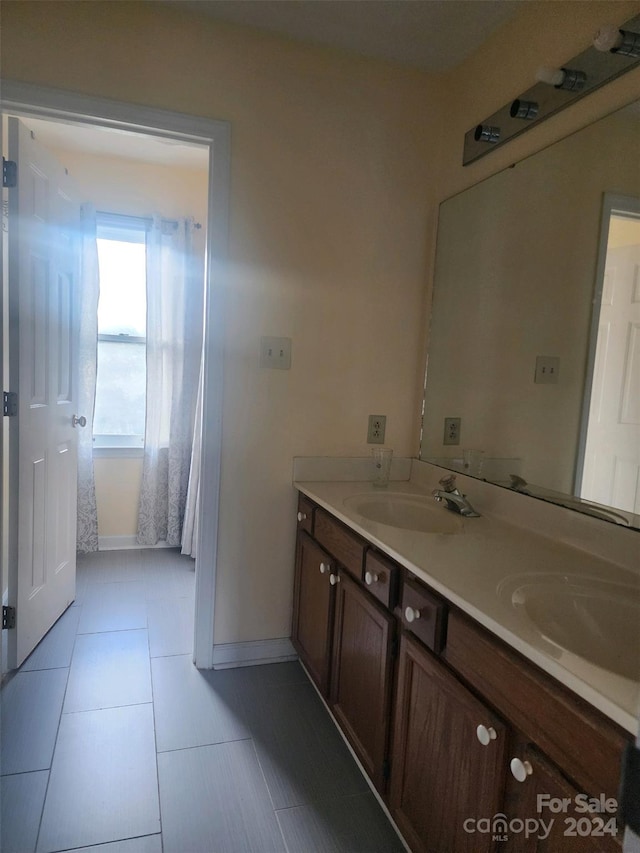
(337, 165)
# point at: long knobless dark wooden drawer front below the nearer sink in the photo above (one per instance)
(575, 736)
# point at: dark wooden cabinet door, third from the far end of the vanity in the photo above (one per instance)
(442, 777)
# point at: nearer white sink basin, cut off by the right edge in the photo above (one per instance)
(598, 620)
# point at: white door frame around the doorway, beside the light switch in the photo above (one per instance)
(27, 99)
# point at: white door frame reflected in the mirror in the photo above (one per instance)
(611, 203)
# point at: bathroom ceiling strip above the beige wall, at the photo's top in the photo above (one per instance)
(431, 35)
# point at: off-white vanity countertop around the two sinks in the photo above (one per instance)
(468, 568)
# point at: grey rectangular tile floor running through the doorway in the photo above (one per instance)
(112, 741)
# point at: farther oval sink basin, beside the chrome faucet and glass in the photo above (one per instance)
(408, 512)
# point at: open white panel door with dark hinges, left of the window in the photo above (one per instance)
(44, 262)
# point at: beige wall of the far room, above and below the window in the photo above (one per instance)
(138, 189)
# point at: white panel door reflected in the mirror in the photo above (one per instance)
(611, 454)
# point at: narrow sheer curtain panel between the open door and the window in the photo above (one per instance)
(87, 528)
